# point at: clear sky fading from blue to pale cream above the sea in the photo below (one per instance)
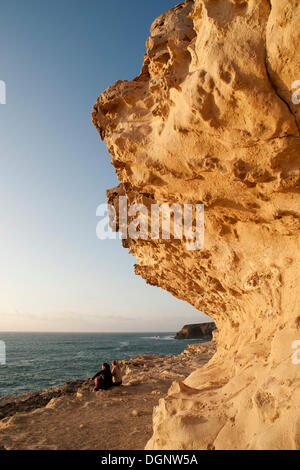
(56, 57)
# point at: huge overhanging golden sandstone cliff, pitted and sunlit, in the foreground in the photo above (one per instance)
(214, 118)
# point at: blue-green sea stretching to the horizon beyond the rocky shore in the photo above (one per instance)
(36, 361)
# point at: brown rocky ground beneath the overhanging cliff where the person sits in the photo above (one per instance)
(76, 417)
